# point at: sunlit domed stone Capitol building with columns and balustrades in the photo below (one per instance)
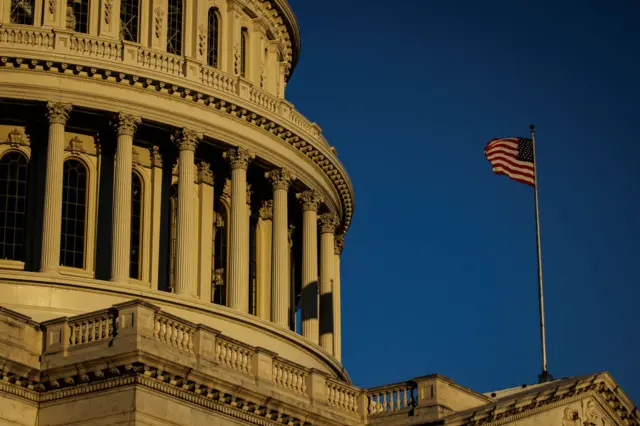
(171, 230)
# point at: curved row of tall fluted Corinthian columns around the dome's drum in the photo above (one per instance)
(320, 280)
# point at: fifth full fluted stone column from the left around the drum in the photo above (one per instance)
(280, 284)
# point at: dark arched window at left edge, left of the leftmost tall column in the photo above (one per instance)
(13, 205)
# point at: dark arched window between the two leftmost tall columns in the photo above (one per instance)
(74, 201)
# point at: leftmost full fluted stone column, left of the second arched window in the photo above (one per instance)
(58, 114)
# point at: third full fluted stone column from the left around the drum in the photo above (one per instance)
(186, 274)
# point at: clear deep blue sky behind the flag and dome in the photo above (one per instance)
(439, 267)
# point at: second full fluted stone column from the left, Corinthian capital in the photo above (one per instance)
(125, 125)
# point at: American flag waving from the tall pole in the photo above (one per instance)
(512, 157)
